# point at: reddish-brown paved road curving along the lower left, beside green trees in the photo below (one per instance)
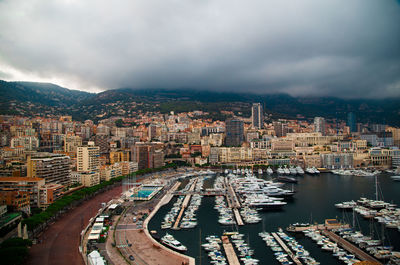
(60, 241)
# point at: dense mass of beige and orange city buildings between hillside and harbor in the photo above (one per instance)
(44, 159)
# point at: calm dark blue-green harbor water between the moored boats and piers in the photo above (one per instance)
(314, 200)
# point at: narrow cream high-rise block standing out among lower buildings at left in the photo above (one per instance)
(88, 158)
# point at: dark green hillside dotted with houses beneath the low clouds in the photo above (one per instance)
(28, 98)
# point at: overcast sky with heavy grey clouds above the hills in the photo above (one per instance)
(301, 47)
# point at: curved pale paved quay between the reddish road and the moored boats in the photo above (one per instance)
(128, 240)
